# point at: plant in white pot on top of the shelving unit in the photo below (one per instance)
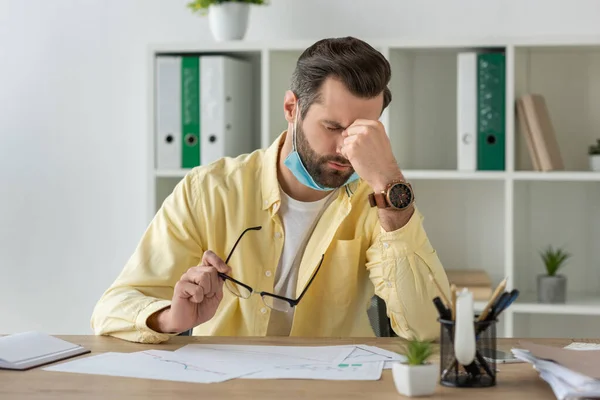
(228, 19)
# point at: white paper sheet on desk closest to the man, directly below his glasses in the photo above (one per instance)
(265, 357)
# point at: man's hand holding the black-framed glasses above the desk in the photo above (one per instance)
(196, 297)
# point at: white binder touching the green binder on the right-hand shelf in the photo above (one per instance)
(466, 112)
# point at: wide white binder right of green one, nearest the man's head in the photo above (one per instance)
(226, 128)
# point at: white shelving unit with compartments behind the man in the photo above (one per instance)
(495, 220)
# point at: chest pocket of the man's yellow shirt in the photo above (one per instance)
(346, 269)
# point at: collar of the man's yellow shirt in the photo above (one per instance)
(270, 179)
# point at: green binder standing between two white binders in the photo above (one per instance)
(190, 112)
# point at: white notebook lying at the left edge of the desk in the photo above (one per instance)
(31, 349)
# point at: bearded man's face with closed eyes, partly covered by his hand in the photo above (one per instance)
(319, 135)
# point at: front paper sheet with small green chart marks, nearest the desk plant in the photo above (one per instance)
(354, 372)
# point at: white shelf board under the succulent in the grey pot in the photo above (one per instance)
(576, 304)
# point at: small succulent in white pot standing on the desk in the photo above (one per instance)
(416, 376)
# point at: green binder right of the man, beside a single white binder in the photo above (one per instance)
(491, 110)
